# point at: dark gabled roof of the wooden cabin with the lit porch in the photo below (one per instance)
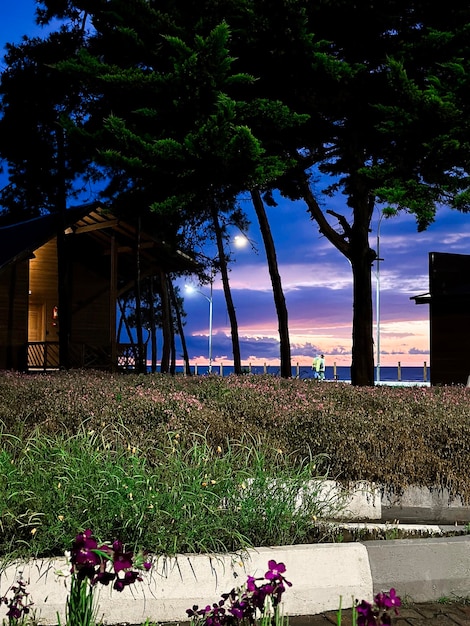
(19, 241)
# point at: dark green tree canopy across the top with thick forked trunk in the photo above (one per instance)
(184, 103)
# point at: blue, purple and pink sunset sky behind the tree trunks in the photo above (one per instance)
(316, 278)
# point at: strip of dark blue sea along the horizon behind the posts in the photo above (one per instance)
(396, 375)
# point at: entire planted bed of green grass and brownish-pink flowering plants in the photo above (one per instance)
(209, 463)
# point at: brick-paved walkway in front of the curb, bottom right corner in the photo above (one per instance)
(429, 614)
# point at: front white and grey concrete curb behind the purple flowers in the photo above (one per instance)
(422, 570)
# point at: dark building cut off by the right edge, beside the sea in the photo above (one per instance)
(449, 317)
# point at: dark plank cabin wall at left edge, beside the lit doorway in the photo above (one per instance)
(14, 316)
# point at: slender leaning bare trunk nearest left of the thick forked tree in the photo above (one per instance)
(279, 300)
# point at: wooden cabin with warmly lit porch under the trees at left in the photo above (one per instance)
(101, 255)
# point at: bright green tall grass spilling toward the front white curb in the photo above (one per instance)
(187, 498)
